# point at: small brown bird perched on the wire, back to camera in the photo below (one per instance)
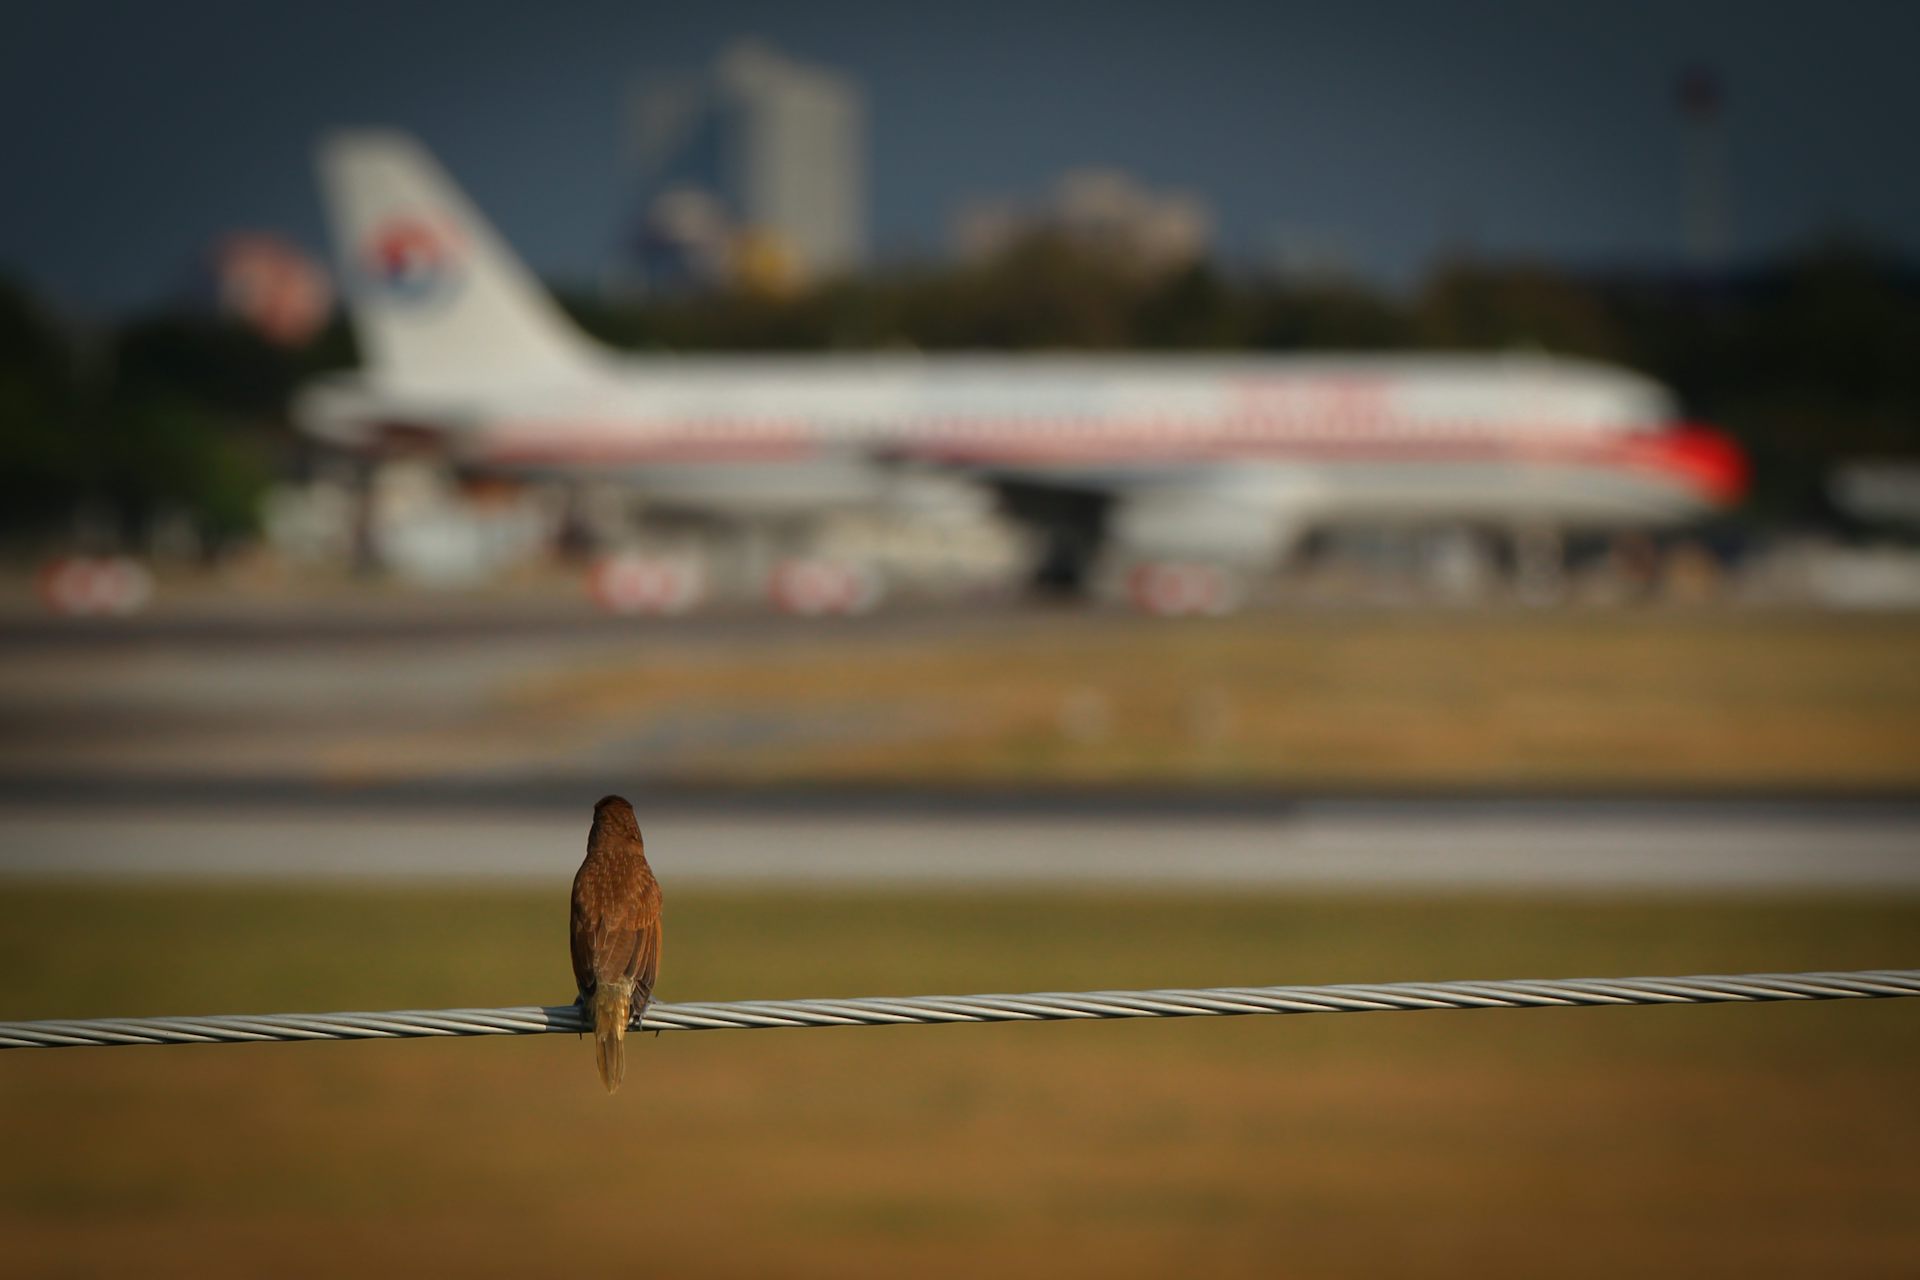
(615, 932)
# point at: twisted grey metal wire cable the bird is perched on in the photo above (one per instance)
(1024, 1008)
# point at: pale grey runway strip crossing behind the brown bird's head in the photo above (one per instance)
(1351, 845)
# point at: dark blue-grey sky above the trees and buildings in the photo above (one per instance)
(132, 135)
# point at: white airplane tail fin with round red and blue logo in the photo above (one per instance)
(437, 296)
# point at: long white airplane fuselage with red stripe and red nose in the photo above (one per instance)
(1464, 437)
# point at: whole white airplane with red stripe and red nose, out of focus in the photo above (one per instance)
(1145, 462)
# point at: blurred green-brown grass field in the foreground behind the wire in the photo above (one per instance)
(1591, 1143)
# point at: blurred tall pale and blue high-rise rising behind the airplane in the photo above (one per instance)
(777, 147)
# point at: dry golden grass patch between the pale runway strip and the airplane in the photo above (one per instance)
(1428, 699)
